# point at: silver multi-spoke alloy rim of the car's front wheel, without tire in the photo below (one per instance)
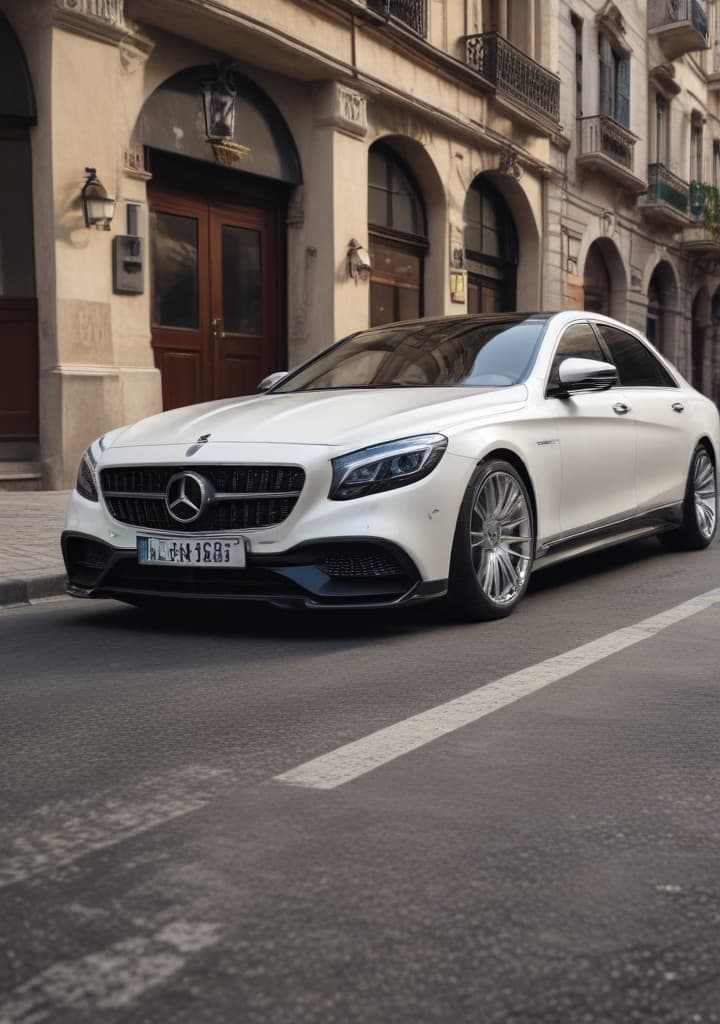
(501, 537)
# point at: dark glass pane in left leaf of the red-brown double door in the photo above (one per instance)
(175, 255)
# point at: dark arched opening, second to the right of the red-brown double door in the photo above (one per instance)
(491, 250)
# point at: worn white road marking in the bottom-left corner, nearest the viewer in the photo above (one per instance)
(110, 979)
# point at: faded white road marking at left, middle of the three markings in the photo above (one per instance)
(60, 834)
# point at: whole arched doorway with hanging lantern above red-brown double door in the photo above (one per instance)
(224, 166)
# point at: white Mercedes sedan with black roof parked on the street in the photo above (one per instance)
(444, 458)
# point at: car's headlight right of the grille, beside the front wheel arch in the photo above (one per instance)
(386, 467)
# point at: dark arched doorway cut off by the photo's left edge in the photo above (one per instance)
(19, 314)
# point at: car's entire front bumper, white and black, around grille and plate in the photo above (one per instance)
(388, 549)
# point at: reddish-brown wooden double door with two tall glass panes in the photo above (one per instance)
(217, 296)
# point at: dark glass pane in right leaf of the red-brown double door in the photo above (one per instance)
(242, 283)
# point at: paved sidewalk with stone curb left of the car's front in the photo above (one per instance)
(31, 564)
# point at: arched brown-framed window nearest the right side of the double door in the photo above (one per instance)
(398, 239)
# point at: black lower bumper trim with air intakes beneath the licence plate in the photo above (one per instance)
(351, 573)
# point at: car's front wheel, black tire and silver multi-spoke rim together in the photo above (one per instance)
(494, 545)
